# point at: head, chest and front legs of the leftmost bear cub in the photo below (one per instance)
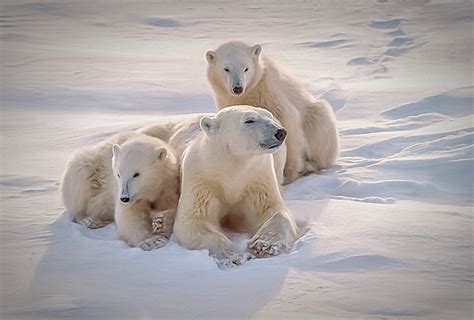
(147, 176)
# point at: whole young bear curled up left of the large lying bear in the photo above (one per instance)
(144, 197)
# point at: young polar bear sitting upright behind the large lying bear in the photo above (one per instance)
(238, 75)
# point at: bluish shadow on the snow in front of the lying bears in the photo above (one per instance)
(90, 274)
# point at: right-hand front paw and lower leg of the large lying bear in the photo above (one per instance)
(276, 236)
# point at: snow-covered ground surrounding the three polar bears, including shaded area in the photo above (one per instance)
(390, 224)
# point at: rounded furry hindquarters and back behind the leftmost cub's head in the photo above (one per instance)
(87, 185)
